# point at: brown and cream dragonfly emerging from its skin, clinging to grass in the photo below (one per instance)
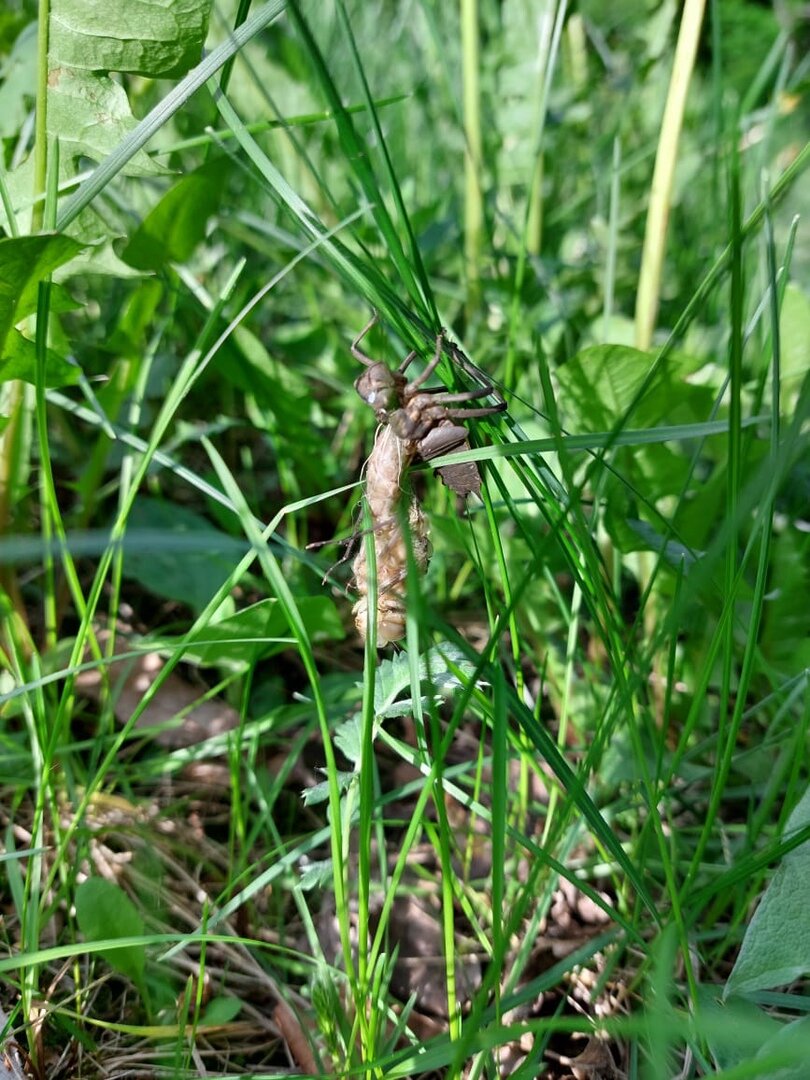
(416, 423)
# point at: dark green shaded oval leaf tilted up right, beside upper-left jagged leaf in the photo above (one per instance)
(173, 229)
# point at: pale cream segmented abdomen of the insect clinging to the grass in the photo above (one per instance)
(385, 469)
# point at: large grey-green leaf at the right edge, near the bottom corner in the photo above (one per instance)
(776, 950)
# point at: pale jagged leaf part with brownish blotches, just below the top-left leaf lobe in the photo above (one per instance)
(91, 116)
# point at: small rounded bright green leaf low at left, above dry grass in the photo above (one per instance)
(105, 913)
